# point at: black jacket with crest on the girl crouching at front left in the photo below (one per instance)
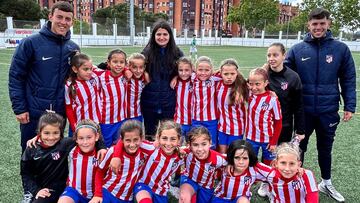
(48, 167)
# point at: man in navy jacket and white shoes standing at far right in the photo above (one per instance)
(323, 64)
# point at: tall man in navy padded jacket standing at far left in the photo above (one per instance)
(38, 70)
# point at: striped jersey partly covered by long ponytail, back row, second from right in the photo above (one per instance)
(231, 117)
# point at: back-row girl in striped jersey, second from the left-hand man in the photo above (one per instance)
(113, 106)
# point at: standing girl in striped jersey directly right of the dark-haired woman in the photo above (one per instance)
(184, 92)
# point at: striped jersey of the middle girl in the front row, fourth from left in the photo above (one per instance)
(158, 170)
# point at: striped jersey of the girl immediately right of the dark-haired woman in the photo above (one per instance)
(184, 93)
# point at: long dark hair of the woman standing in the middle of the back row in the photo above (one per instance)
(152, 49)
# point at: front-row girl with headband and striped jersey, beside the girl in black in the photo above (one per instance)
(82, 163)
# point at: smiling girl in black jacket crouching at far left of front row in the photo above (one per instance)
(44, 168)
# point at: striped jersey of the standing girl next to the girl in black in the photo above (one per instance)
(263, 109)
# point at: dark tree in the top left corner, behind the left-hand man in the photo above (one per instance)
(21, 9)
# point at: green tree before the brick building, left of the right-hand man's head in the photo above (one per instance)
(254, 14)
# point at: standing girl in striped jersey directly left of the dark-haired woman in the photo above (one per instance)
(135, 86)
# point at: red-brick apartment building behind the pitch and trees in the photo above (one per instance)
(189, 14)
